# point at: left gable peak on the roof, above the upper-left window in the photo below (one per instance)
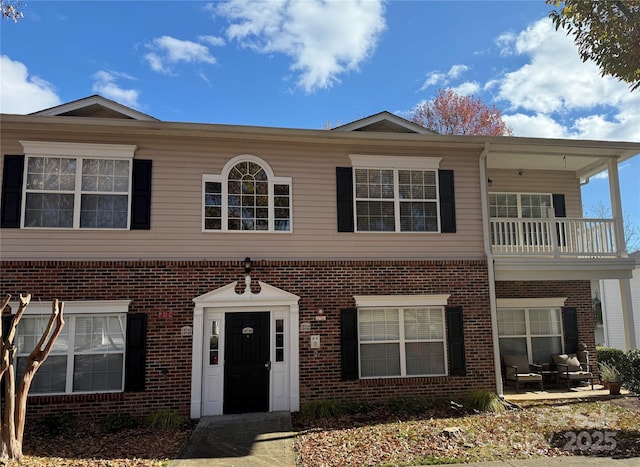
(94, 106)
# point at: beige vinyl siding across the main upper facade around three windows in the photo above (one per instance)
(176, 207)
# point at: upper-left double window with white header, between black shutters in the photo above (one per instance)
(77, 186)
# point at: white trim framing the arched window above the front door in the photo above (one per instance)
(222, 179)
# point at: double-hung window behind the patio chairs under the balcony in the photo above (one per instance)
(535, 332)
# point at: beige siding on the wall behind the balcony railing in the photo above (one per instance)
(540, 181)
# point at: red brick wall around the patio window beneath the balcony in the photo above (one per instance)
(578, 295)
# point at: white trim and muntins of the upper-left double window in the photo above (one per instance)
(80, 152)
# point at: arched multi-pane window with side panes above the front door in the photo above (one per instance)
(246, 197)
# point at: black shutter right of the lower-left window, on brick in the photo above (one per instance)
(136, 352)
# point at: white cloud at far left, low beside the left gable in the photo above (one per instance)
(21, 93)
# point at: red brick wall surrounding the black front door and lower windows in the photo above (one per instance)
(169, 286)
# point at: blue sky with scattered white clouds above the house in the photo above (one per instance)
(312, 63)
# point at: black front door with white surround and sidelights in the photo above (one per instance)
(246, 362)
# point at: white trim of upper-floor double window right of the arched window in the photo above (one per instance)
(396, 163)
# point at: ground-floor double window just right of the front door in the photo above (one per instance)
(398, 341)
